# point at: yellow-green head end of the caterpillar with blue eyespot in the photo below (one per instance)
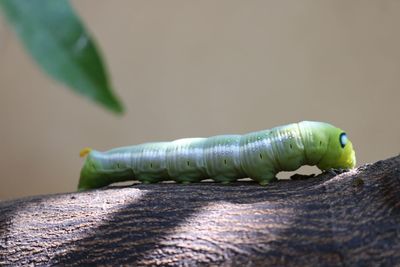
(340, 153)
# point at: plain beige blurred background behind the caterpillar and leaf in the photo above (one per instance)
(201, 68)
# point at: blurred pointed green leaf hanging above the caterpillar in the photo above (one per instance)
(59, 43)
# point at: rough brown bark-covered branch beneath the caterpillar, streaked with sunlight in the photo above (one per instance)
(348, 219)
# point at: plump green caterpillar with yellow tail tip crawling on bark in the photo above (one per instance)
(224, 158)
